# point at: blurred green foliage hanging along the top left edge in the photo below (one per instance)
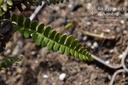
(7, 5)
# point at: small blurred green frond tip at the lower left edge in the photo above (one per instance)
(6, 62)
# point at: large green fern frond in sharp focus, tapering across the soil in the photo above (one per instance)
(44, 36)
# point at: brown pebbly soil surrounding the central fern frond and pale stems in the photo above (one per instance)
(43, 67)
